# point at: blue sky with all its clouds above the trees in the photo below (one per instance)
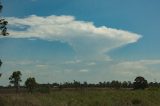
(83, 40)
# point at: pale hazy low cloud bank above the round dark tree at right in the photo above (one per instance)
(131, 69)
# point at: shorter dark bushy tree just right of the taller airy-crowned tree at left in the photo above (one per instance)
(30, 84)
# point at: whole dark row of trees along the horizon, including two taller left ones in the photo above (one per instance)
(31, 84)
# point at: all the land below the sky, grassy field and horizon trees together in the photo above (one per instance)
(114, 93)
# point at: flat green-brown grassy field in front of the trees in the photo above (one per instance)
(83, 97)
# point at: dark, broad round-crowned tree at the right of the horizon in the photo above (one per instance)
(140, 83)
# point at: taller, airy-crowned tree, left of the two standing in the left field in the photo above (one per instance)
(15, 79)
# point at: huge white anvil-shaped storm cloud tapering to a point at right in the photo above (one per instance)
(87, 40)
